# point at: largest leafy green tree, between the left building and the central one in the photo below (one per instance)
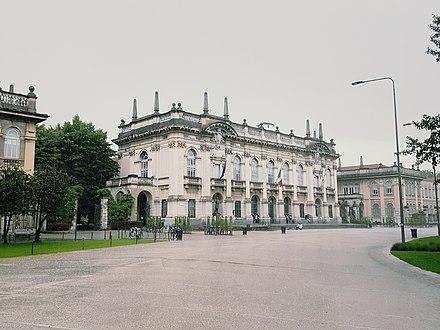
(82, 152)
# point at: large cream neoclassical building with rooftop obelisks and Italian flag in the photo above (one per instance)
(178, 163)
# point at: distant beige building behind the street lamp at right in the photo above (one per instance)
(372, 191)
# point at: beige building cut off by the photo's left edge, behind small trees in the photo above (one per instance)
(18, 120)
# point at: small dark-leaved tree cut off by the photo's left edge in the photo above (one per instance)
(14, 195)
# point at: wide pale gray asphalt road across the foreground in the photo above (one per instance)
(332, 278)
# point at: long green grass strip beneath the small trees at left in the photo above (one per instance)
(46, 247)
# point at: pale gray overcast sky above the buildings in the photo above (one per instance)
(278, 61)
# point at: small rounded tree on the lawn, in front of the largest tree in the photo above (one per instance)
(49, 190)
